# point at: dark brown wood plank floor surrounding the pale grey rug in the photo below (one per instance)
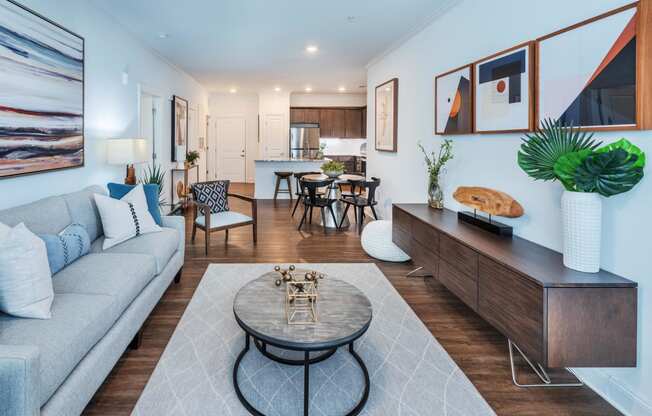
(479, 350)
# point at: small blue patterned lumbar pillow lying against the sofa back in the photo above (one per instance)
(67, 246)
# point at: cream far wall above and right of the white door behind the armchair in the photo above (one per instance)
(239, 105)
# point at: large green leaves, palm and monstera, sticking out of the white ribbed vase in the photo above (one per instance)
(572, 157)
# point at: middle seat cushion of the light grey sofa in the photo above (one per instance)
(122, 276)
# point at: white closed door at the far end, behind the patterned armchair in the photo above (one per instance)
(232, 139)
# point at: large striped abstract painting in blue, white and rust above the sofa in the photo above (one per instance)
(41, 93)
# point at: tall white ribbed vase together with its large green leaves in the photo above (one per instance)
(588, 172)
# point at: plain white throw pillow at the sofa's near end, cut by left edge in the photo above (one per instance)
(25, 278)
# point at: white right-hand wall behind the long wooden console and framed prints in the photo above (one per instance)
(473, 30)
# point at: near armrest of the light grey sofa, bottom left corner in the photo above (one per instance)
(19, 380)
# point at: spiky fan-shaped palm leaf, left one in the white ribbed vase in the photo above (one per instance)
(541, 150)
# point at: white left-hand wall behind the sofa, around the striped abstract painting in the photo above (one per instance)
(111, 108)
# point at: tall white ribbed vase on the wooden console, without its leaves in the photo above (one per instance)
(582, 224)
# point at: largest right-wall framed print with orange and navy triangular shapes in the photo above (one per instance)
(587, 72)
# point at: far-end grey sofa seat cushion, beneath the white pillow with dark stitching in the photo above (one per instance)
(161, 246)
